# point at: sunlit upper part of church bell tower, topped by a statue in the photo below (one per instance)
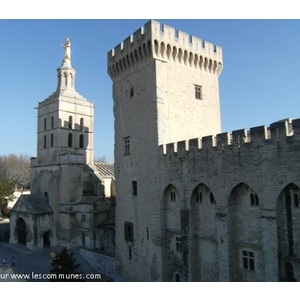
(65, 119)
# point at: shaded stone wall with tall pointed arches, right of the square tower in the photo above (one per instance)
(242, 184)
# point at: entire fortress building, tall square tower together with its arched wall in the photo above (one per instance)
(195, 204)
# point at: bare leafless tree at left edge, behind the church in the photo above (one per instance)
(15, 169)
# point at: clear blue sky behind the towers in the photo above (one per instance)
(258, 85)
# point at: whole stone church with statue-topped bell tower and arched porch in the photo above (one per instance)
(72, 199)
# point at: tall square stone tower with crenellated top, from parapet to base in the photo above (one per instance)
(165, 89)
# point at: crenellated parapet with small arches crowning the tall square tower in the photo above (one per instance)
(164, 43)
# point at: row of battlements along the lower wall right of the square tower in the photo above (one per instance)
(277, 132)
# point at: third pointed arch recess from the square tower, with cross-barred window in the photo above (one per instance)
(245, 234)
